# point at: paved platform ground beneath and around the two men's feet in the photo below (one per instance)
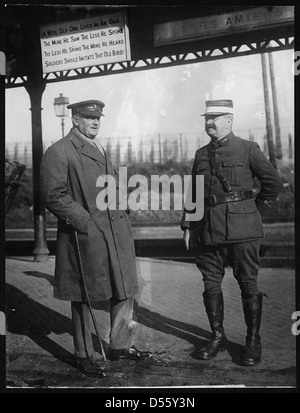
(171, 321)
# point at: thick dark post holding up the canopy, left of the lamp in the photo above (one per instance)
(35, 86)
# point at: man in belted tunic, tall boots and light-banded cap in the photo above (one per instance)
(231, 228)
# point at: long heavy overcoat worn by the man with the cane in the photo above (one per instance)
(69, 172)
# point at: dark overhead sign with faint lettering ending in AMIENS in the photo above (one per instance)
(222, 24)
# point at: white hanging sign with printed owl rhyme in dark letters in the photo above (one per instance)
(82, 43)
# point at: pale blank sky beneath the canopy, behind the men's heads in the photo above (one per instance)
(166, 100)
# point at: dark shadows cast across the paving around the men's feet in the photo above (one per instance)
(26, 317)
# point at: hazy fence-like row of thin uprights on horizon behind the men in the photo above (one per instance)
(158, 148)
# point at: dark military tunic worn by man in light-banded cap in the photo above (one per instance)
(244, 167)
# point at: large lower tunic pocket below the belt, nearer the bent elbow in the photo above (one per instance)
(243, 221)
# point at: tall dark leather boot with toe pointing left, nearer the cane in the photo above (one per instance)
(214, 306)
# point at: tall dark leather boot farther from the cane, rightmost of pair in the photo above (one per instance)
(252, 306)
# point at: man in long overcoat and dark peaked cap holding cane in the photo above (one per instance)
(69, 172)
